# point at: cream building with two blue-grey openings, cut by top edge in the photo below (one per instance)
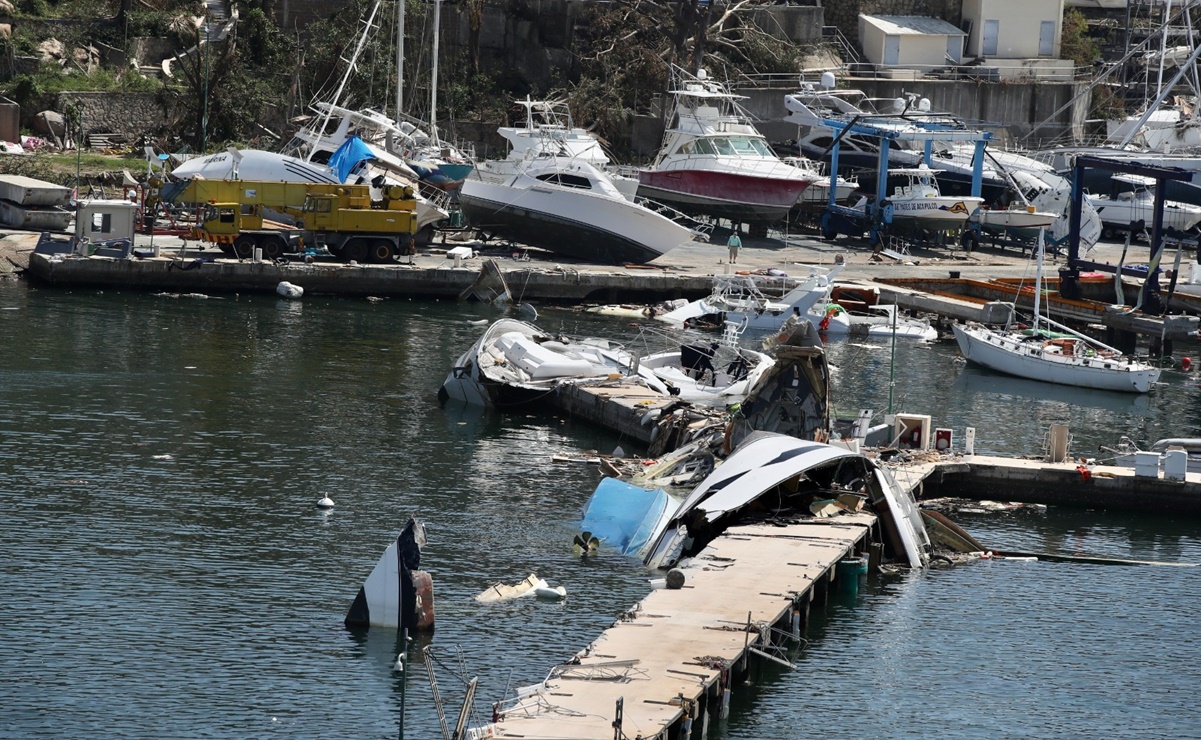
(1020, 38)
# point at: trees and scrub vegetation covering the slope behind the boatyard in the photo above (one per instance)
(249, 89)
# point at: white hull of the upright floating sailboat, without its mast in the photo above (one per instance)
(1008, 354)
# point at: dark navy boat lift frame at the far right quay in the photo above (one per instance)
(1069, 277)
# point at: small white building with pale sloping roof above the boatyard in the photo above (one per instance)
(910, 43)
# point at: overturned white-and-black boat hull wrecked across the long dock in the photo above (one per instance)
(791, 475)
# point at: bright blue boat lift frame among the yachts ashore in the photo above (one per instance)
(841, 219)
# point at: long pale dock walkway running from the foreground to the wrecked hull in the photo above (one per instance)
(667, 666)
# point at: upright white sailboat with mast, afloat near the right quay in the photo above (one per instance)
(1063, 356)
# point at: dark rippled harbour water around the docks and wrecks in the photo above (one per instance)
(168, 574)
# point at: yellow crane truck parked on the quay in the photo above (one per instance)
(343, 219)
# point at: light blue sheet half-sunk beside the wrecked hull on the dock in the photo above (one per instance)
(625, 516)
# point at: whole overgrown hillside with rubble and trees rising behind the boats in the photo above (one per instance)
(248, 82)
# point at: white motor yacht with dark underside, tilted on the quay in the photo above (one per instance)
(571, 208)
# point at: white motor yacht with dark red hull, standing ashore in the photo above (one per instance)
(715, 163)
